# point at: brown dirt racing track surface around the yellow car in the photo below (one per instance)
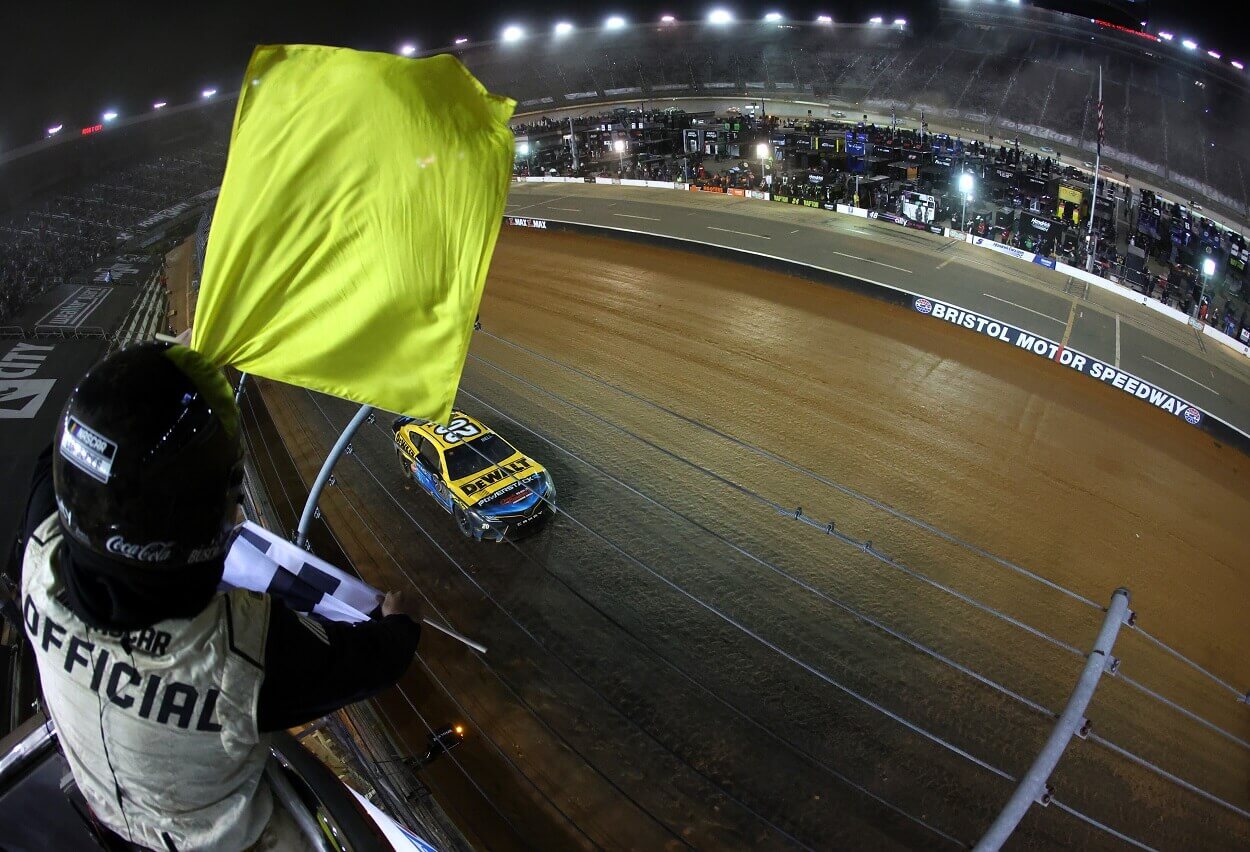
(682, 660)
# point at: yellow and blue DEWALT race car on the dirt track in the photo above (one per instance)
(489, 488)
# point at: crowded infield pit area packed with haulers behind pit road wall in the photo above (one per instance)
(1033, 202)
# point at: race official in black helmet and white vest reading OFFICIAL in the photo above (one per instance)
(162, 688)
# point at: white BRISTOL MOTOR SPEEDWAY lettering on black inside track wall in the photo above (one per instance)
(1069, 358)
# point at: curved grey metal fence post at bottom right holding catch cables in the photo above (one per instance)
(1033, 786)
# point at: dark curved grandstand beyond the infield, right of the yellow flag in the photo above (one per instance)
(1008, 71)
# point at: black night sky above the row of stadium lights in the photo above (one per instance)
(66, 63)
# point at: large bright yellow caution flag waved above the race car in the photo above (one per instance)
(354, 230)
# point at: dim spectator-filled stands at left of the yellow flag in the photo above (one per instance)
(66, 233)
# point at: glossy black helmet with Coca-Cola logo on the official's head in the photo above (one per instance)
(148, 464)
